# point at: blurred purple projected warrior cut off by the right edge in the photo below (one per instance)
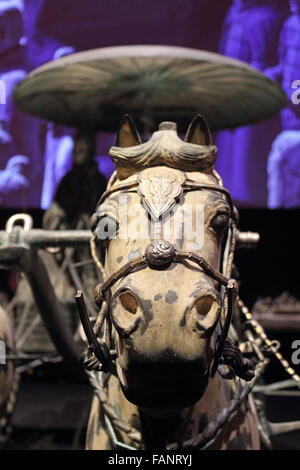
(284, 158)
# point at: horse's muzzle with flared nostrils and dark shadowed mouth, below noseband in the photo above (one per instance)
(164, 354)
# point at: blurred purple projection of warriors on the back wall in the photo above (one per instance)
(259, 164)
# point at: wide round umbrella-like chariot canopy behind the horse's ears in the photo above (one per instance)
(93, 89)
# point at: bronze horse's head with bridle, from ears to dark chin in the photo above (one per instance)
(165, 225)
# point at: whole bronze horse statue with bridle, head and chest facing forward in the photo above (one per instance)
(157, 355)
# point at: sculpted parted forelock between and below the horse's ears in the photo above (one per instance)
(165, 148)
